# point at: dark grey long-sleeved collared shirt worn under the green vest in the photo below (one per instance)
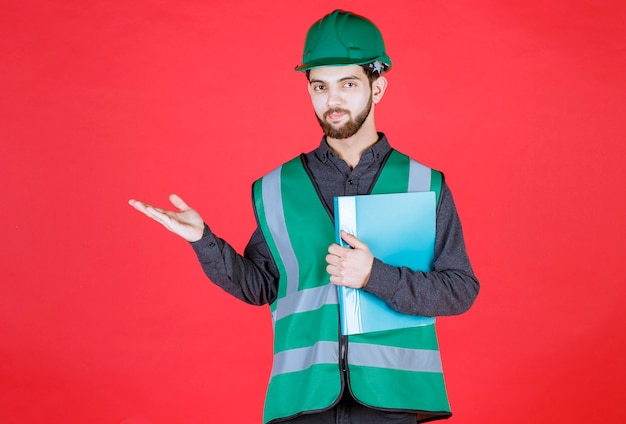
(449, 289)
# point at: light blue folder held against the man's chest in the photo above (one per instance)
(399, 229)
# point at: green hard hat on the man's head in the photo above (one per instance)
(343, 38)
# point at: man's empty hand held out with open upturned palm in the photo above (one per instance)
(187, 223)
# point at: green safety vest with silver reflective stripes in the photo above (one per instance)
(394, 370)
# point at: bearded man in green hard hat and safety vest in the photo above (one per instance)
(319, 375)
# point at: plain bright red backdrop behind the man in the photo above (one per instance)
(106, 318)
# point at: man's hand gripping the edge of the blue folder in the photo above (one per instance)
(349, 267)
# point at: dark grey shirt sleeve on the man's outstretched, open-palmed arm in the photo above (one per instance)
(251, 277)
